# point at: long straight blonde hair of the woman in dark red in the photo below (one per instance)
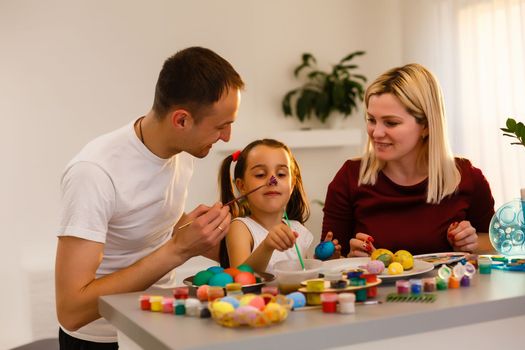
(419, 91)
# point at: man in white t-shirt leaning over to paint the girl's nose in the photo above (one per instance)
(123, 196)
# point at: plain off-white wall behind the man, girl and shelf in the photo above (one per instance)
(72, 70)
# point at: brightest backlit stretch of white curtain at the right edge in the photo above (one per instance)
(491, 88)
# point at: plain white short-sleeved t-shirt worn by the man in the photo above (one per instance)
(116, 192)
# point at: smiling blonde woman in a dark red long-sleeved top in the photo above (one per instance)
(408, 191)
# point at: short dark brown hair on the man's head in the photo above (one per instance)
(193, 78)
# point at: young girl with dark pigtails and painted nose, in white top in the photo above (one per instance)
(258, 235)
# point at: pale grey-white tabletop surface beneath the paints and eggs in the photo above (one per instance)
(490, 297)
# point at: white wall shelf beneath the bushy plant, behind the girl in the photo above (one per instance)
(300, 139)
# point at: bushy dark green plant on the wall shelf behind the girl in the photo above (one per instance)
(325, 92)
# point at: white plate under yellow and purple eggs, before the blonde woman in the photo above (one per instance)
(419, 268)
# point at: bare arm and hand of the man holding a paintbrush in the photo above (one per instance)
(78, 289)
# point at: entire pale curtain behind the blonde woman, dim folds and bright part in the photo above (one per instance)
(477, 50)
